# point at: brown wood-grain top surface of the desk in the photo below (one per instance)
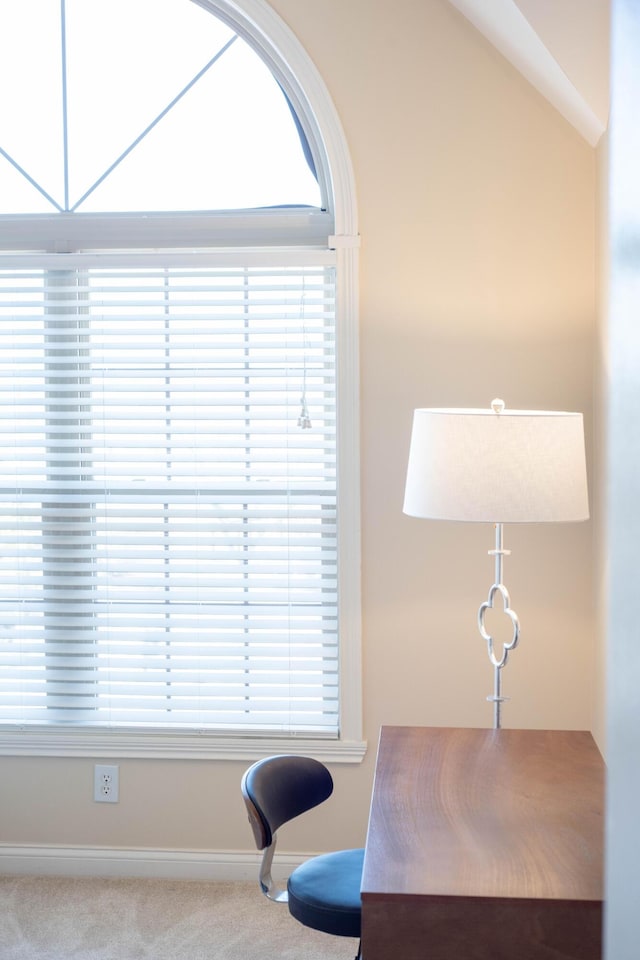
(486, 813)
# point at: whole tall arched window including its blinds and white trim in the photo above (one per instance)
(178, 389)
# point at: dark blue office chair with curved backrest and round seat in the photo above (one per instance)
(324, 891)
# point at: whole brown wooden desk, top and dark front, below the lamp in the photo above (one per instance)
(484, 845)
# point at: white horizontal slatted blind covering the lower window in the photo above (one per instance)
(167, 519)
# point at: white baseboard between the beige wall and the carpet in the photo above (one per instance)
(50, 860)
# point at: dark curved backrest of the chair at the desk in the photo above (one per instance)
(277, 789)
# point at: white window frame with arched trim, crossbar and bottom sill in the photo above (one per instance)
(333, 229)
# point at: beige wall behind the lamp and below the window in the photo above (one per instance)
(476, 205)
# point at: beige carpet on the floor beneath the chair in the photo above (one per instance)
(46, 918)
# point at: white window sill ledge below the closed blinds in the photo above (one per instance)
(61, 742)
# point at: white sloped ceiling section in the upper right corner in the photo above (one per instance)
(560, 46)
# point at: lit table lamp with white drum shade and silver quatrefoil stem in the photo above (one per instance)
(497, 466)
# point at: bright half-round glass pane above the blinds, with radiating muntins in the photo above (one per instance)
(140, 105)
